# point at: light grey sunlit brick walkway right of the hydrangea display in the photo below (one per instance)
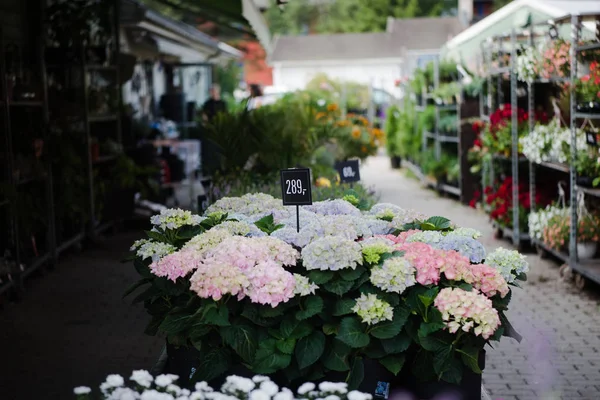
(559, 356)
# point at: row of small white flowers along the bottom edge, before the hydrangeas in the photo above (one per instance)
(144, 386)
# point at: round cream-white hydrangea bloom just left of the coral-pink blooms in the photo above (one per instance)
(395, 275)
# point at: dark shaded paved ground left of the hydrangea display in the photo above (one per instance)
(73, 328)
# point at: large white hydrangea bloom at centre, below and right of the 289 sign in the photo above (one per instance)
(331, 253)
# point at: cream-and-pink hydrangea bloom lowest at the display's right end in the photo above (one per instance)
(469, 311)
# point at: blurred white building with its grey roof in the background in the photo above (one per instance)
(380, 59)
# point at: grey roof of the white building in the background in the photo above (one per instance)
(402, 35)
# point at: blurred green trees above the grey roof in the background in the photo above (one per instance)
(339, 16)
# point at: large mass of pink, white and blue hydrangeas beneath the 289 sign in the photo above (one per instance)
(385, 285)
